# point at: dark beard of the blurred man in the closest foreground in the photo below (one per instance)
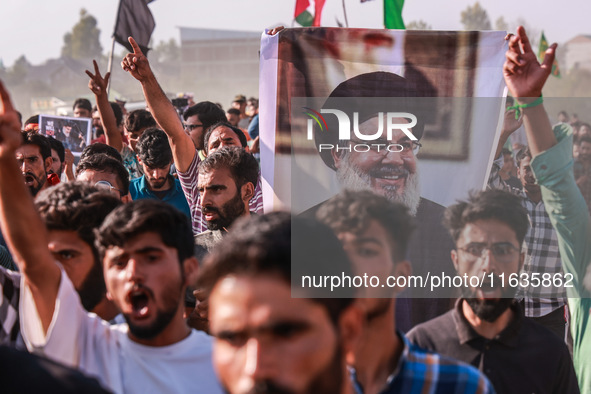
(327, 381)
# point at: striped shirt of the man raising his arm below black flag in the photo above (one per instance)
(188, 181)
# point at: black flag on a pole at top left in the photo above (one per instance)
(134, 19)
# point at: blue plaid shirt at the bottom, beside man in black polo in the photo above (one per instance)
(419, 371)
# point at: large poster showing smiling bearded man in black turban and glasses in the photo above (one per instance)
(411, 115)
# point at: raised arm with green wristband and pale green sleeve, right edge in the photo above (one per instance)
(552, 166)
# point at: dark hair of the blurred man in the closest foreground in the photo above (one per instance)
(287, 247)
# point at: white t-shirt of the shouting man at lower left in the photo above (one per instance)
(83, 340)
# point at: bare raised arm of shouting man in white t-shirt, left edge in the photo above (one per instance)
(22, 227)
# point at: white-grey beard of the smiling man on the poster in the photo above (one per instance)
(351, 177)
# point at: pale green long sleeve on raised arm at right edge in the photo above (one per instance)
(569, 216)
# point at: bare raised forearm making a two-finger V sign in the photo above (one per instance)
(98, 85)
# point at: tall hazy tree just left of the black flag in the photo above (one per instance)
(83, 42)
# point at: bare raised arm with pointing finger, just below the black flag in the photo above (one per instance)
(183, 150)
